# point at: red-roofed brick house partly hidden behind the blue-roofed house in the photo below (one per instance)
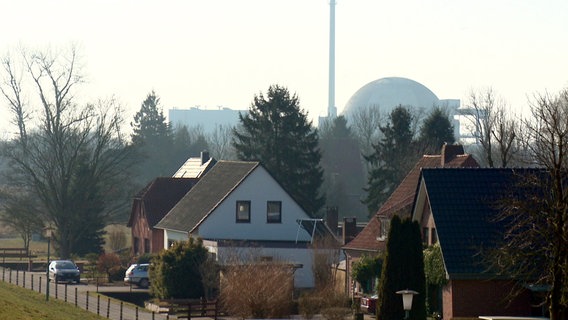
(372, 239)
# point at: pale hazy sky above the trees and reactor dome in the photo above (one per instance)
(221, 53)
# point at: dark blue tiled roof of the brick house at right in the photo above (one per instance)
(464, 203)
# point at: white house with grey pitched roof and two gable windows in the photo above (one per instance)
(238, 206)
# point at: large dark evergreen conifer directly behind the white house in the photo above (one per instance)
(277, 133)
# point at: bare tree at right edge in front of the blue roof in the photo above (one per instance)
(535, 247)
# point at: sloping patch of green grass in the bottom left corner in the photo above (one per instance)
(19, 303)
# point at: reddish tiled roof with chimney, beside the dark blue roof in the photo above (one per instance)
(400, 201)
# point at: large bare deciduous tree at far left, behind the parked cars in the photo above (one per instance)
(74, 160)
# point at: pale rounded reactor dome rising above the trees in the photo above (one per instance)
(388, 93)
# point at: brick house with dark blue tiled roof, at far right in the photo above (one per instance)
(455, 208)
